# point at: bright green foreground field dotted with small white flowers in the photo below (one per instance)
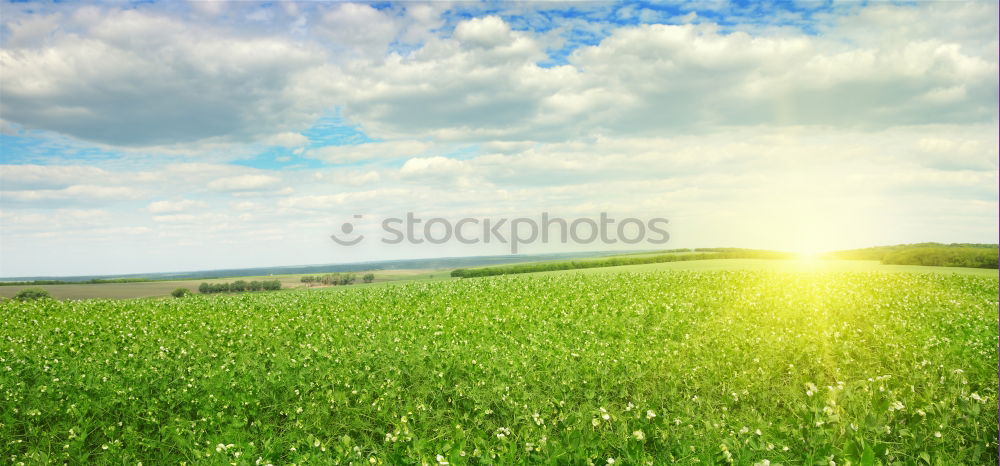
(759, 364)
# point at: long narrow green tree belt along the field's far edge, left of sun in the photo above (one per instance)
(614, 261)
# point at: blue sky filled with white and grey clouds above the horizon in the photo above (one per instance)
(183, 136)
